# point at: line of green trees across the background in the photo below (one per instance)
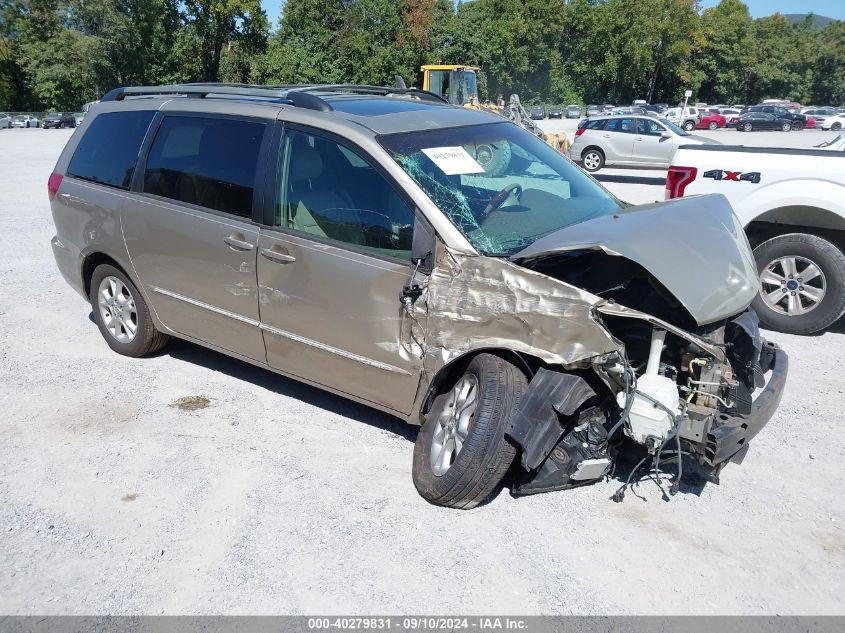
(59, 54)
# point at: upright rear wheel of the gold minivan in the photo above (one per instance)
(122, 314)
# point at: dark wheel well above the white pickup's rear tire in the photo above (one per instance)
(827, 225)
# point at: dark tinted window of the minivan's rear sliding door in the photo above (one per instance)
(209, 162)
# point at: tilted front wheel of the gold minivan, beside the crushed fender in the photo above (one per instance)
(461, 453)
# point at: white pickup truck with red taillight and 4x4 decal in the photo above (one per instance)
(792, 205)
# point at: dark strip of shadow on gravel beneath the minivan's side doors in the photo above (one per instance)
(198, 355)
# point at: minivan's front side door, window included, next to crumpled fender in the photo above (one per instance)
(333, 259)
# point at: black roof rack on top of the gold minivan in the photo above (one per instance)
(298, 95)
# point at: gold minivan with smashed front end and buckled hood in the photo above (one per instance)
(437, 263)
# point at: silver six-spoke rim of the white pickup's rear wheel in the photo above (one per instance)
(792, 285)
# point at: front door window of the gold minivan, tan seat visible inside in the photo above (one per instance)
(331, 191)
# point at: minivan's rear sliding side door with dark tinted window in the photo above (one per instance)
(189, 227)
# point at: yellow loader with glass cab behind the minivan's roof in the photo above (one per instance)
(458, 84)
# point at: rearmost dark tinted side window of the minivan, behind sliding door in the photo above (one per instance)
(109, 150)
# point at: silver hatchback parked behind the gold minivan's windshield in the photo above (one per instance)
(629, 141)
